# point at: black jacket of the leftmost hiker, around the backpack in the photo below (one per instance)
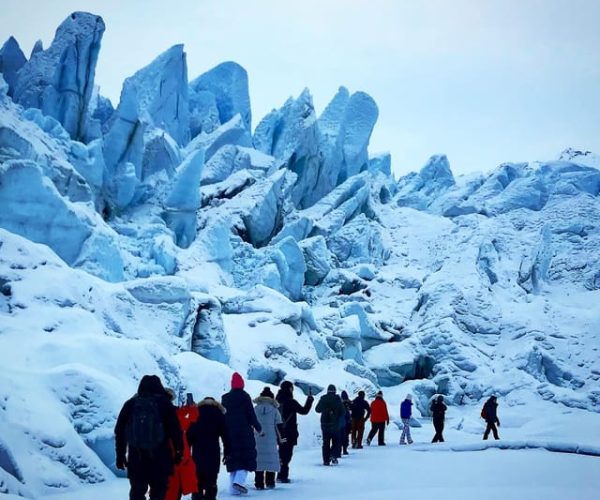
(142, 464)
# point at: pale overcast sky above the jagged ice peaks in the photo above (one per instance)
(483, 81)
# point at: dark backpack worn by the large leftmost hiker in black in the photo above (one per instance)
(145, 427)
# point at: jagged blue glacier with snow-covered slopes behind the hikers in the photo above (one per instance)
(164, 235)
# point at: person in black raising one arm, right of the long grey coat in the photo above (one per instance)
(289, 409)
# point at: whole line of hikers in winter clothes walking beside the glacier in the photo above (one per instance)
(174, 451)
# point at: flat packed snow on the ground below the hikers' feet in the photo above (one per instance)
(393, 471)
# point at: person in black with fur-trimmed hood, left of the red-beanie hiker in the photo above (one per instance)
(203, 438)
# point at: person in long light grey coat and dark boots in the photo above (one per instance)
(267, 456)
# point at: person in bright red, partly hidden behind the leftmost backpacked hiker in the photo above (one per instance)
(184, 480)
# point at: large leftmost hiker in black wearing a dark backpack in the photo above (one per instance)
(147, 429)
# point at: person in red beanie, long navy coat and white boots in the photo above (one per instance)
(240, 423)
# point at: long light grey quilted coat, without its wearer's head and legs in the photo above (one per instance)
(267, 454)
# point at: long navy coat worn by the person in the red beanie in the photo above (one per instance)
(240, 423)
